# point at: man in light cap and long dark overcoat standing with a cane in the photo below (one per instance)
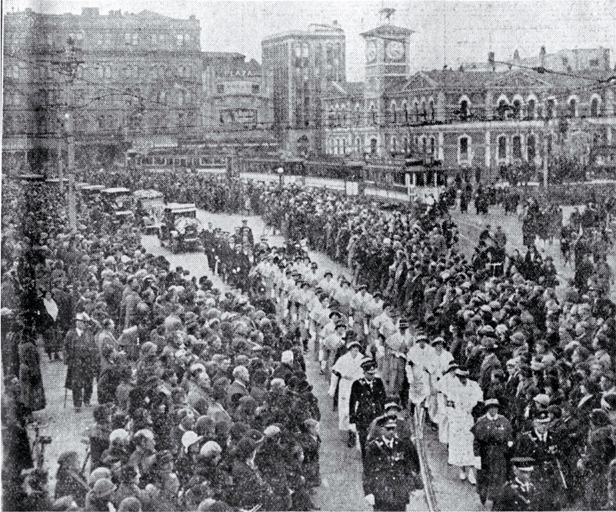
(81, 357)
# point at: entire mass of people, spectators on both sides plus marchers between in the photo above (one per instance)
(518, 382)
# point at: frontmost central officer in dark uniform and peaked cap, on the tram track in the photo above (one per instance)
(391, 468)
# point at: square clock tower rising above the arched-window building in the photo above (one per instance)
(387, 57)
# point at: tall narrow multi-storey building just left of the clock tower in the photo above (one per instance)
(298, 67)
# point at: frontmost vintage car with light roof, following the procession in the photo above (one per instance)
(180, 230)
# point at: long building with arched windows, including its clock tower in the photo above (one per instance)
(480, 120)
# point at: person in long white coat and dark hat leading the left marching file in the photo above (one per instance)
(344, 373)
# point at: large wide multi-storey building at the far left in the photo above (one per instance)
(122, 77)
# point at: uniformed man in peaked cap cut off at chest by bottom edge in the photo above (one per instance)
(519, 493)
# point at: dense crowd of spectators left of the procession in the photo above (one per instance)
(200, 401)
